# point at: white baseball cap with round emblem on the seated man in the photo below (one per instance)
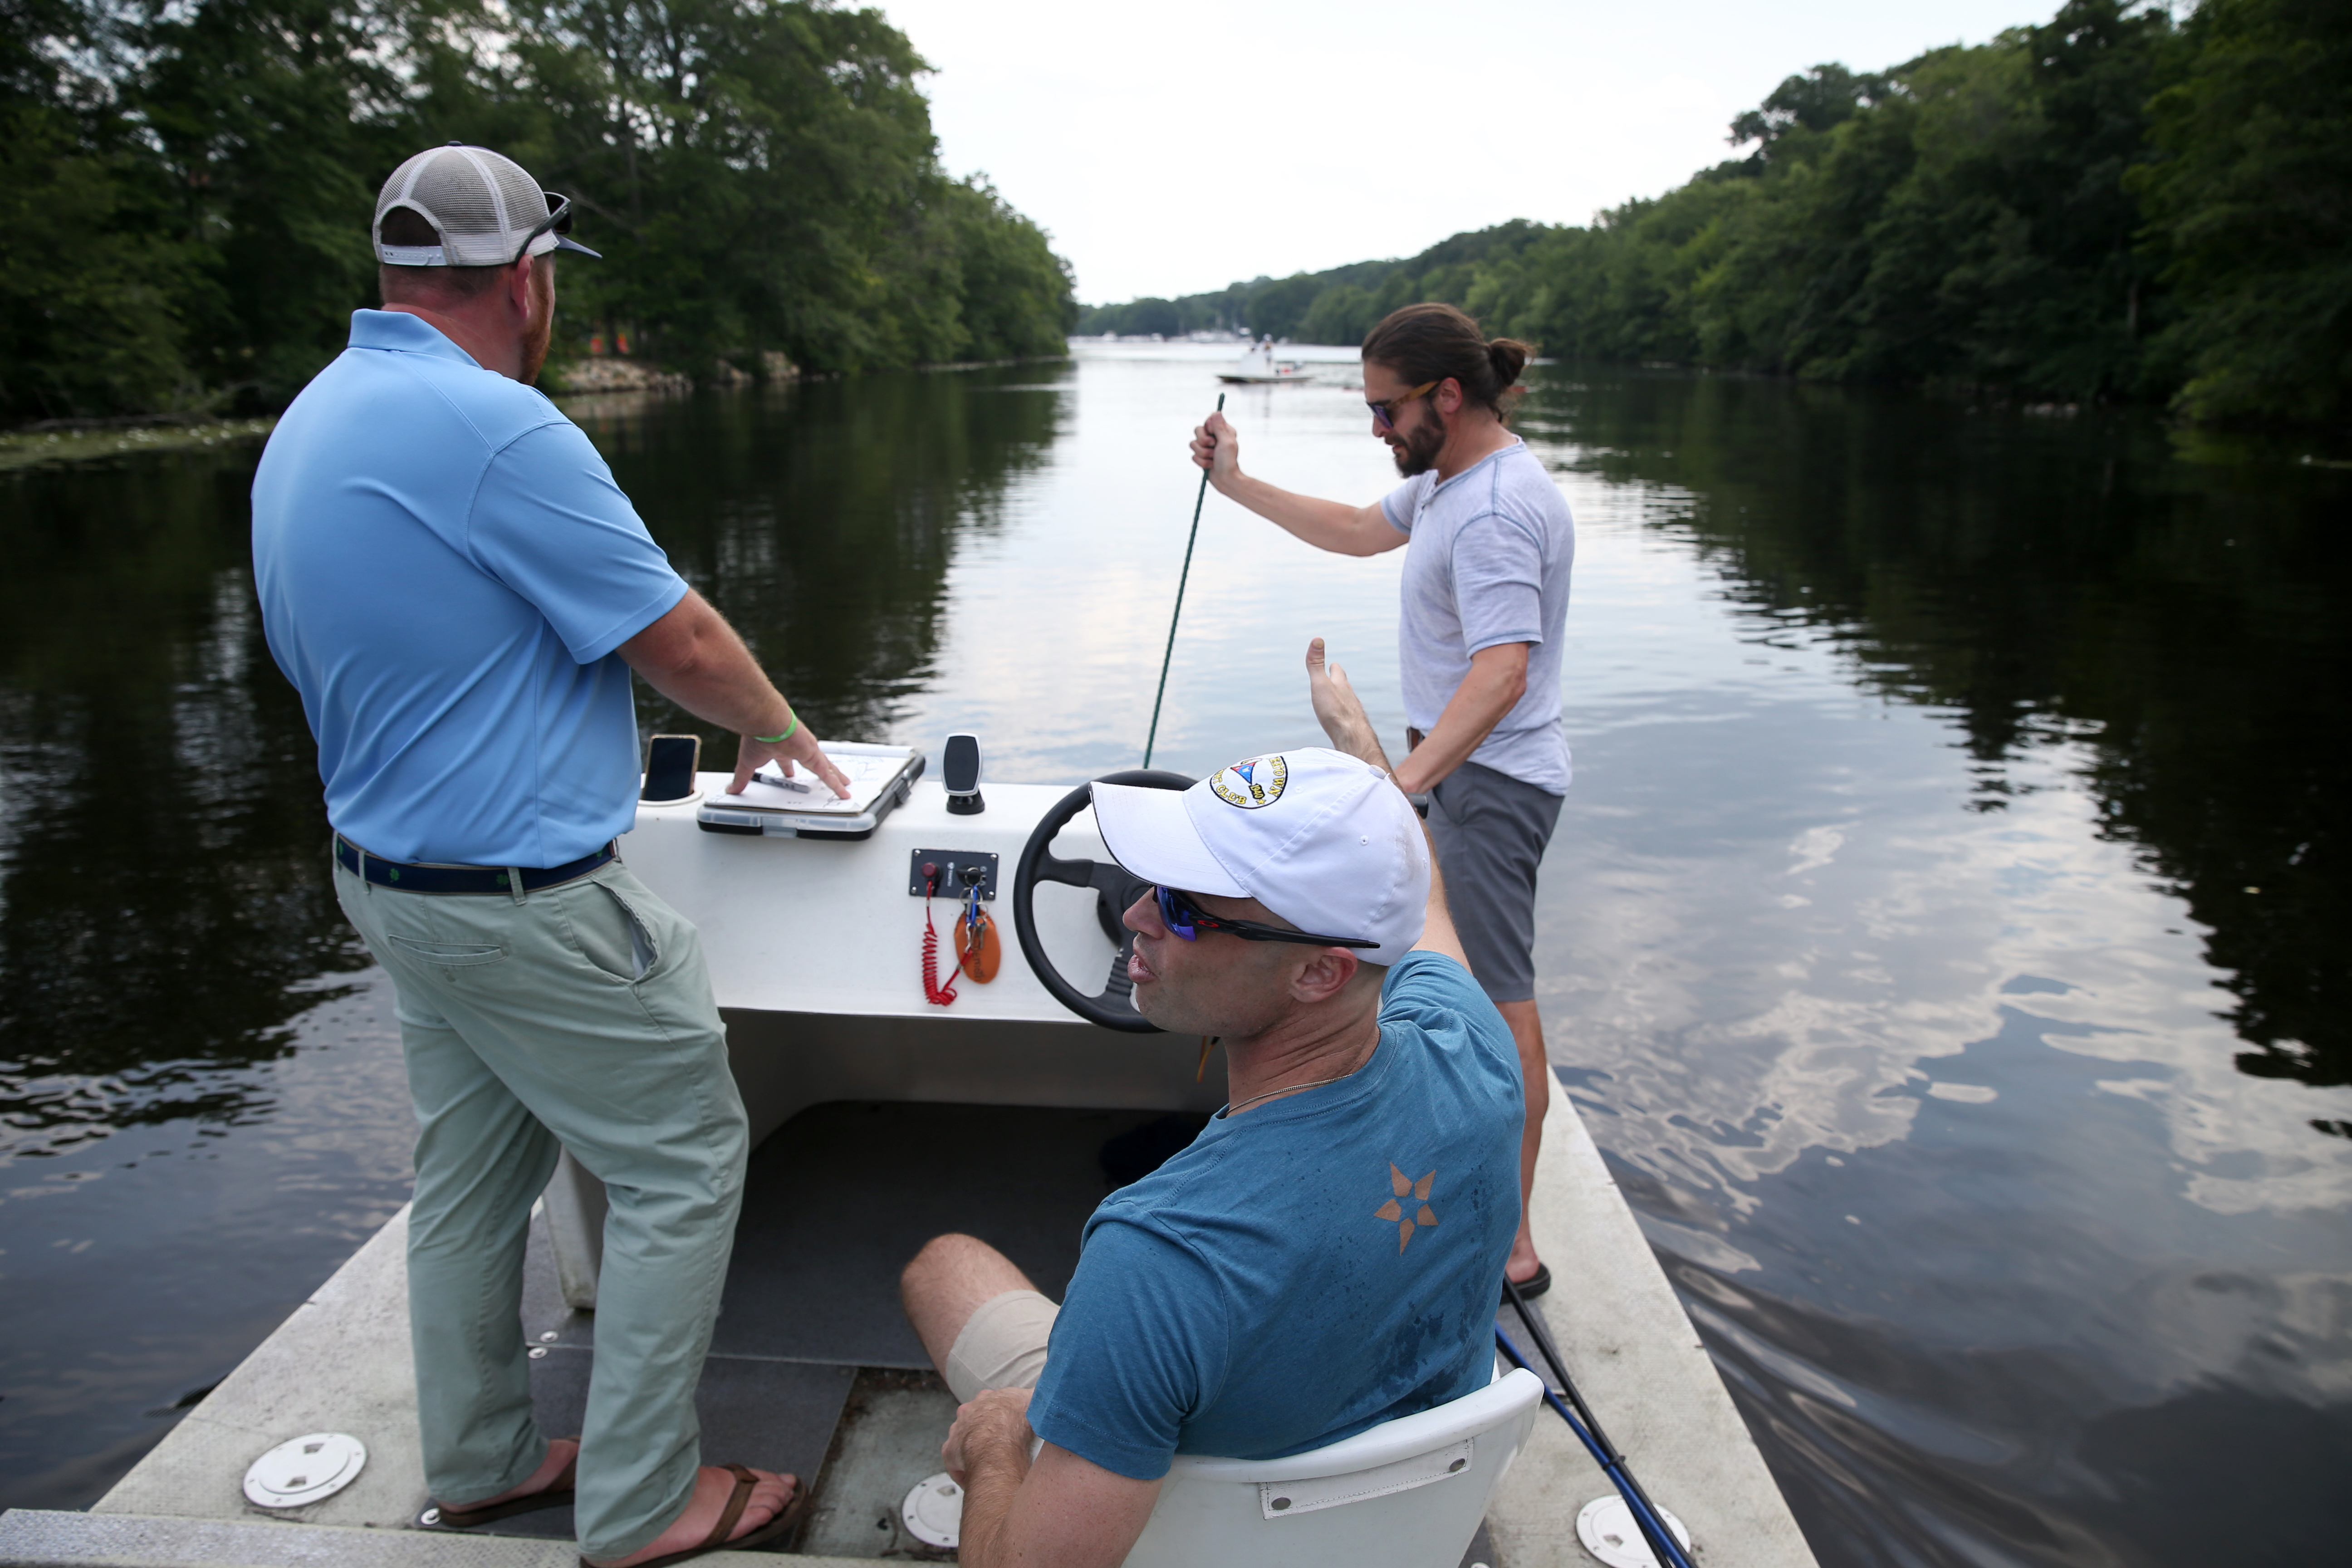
(1321, 838)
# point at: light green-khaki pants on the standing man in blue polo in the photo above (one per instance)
(582, 1019)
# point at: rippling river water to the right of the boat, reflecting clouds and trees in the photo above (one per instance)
(1909, 970)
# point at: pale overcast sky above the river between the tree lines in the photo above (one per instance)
(1175, 149)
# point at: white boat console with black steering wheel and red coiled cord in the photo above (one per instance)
(817, 958)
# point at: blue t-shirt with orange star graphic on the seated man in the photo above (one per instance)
(1311, 1268)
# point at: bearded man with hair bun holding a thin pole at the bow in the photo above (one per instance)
(1485, 603)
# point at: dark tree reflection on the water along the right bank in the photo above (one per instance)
(2057, 584)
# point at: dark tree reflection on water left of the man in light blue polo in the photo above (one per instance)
(163, 913)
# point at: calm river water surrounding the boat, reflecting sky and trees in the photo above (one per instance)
(1942, 939)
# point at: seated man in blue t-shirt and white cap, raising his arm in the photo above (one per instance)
(1328, 1254)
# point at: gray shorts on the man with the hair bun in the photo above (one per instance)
(1490, 833)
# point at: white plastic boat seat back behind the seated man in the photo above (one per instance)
(1408, 1494)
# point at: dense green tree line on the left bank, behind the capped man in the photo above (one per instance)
(187, 187)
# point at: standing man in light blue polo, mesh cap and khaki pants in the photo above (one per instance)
(460, 591)
